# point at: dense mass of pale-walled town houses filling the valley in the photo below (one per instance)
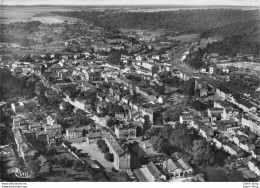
(81, 76)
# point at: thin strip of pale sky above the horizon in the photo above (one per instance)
(132, 2)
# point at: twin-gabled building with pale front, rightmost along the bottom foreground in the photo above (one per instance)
(177, 169)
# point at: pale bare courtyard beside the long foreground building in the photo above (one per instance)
(94, 153)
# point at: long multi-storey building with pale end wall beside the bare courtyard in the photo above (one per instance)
(121, 156)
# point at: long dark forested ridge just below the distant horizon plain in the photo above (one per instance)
(182, 21)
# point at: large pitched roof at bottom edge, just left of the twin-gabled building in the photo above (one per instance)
(148, 173)
